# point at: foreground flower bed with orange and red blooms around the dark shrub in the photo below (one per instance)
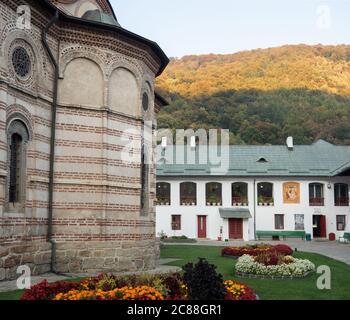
(142, 287)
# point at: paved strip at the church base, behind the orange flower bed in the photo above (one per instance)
(6, 286)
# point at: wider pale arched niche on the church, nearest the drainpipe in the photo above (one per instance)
(83, 84)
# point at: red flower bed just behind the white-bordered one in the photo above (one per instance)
(254, 250)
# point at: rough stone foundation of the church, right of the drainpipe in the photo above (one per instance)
(98, 257)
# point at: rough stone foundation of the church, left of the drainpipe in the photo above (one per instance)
(35, 255)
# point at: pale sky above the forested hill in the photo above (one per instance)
(183, 27)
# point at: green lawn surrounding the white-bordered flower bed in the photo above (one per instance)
(298, 289)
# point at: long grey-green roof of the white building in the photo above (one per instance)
(321, 159)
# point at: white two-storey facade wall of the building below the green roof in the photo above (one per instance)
(265, 216)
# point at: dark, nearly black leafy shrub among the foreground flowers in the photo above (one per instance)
(203, 282)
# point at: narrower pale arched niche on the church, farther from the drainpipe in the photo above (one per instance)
(124, 93)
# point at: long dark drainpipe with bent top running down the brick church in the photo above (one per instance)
(53, 138)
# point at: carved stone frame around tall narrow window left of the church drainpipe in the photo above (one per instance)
(17, 125)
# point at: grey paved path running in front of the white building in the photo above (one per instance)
(335, 250)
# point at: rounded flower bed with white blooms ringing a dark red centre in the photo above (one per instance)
(273, 267)
